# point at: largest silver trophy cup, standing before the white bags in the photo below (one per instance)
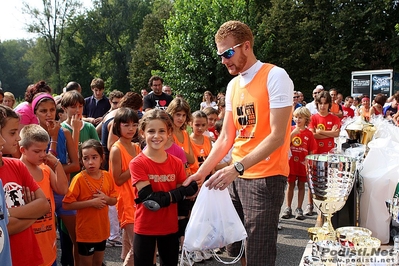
(330, 178)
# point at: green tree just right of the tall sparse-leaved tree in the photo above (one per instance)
(105, 38)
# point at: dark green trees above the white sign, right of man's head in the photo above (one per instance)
(323, 41)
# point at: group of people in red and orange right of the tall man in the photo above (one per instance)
(314, 127)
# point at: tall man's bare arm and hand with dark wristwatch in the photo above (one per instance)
(279, 118)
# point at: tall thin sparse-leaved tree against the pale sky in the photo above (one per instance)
(49, 22)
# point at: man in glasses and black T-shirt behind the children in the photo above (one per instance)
(157, 99)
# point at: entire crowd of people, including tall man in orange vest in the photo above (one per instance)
(124, 170)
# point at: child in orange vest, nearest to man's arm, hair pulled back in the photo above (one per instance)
(201, 144)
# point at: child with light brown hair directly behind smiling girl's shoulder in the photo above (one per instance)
(180, 112)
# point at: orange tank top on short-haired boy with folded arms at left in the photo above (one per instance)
(44, 227)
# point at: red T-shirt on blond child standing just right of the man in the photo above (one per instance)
(302, 144)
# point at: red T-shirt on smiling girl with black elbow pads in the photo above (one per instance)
(162, 177)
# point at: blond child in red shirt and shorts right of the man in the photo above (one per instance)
(302, 144)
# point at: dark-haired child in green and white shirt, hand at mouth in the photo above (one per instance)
(72, 102)
